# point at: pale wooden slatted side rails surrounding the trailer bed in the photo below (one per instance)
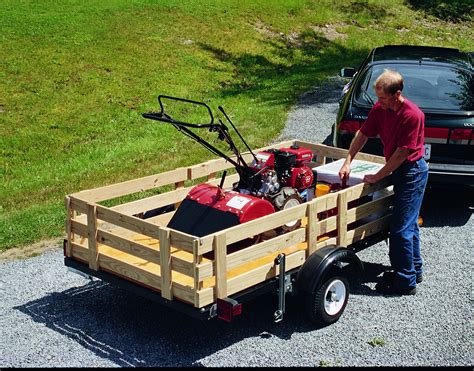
(173, 263)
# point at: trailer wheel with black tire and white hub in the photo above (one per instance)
(327, 303)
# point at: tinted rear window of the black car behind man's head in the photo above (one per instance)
(430, 87)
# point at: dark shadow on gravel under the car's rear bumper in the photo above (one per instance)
(447, 207)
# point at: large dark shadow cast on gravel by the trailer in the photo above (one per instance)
(134, 332)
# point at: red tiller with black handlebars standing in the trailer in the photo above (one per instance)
(276, 179)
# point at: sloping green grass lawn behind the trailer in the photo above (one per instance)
(75, 77)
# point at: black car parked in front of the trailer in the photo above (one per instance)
(441, 82)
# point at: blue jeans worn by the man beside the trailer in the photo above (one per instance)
(409, 183)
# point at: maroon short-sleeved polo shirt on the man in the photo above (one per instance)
(403, 128)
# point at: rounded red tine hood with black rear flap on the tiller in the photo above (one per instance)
(207, 209)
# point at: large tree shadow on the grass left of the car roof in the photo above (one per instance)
(293, 66)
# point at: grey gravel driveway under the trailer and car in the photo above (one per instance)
(50, 317)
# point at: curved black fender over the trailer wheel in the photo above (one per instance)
(315, 268)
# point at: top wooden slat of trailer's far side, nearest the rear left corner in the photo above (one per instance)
(132, 186)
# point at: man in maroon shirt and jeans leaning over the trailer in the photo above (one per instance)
(400, 125)
